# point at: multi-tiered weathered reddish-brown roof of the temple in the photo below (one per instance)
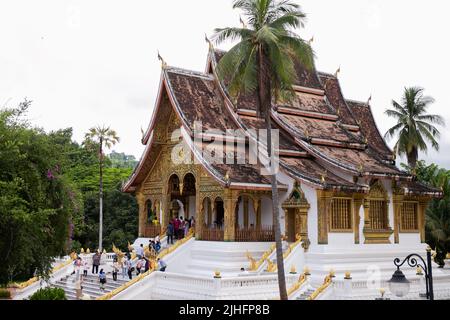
(319, 130)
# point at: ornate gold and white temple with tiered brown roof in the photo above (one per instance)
(337, 178)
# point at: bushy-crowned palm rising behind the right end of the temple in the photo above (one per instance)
(414, 126)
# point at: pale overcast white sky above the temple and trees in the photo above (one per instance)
(93, 62)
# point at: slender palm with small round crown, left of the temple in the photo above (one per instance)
(101, 136)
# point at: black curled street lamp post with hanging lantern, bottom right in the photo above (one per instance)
(399, 285)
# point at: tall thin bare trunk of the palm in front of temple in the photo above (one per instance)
(265, 106)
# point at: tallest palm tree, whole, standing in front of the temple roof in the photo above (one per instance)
(263, 61)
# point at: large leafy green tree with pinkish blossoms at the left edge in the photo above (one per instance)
(37, 200)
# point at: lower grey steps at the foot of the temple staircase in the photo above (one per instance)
(91, 286)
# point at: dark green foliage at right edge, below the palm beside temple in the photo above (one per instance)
(438, 213)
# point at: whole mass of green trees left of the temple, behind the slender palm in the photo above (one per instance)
(49, 198)
